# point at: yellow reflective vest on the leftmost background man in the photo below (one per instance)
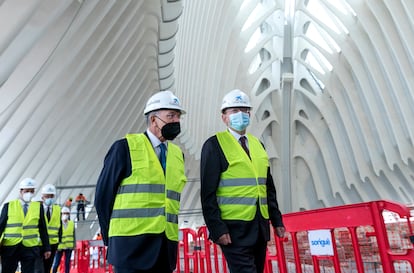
(20, 228)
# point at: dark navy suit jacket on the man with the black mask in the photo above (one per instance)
(136, 252)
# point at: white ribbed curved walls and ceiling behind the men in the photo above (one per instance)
(331, 83)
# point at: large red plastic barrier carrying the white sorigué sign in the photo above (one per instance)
(366, 238)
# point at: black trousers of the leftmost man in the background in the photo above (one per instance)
(11, 255)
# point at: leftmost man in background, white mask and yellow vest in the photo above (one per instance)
(24, 230)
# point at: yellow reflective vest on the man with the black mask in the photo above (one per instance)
(147, 202)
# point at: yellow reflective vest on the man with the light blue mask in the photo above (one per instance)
(243, 184)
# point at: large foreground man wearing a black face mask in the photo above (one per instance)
(138, 192)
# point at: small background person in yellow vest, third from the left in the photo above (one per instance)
(67, 244)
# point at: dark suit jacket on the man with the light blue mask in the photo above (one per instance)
(243, 233)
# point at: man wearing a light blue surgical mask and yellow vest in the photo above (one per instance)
(238, 195)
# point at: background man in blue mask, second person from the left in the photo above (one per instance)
(52, 216)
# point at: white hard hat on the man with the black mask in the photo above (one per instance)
(163, 100)
